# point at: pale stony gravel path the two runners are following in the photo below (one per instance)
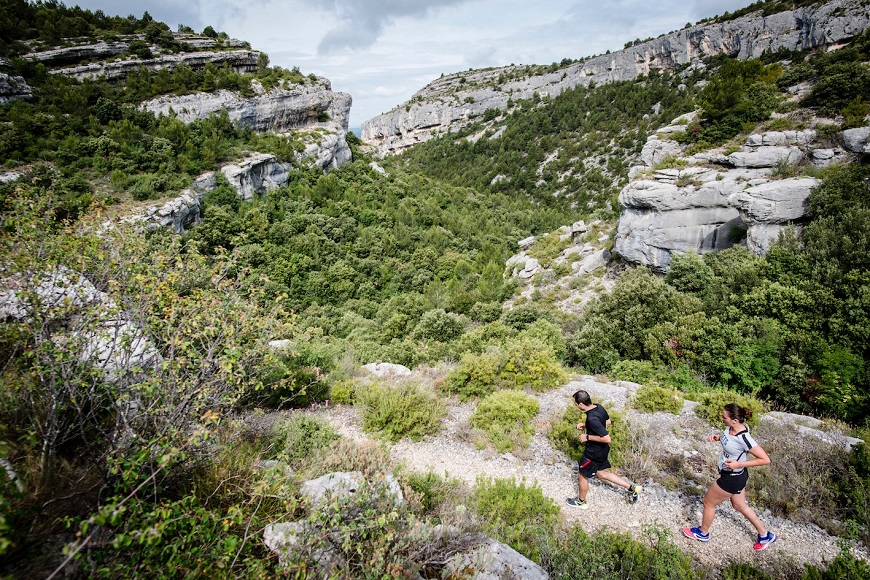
(732, 537)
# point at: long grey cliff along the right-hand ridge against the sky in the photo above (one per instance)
(454, 100)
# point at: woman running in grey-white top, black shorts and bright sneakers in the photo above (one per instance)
(736, 443)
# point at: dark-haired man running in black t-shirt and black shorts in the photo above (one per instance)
(594, 461)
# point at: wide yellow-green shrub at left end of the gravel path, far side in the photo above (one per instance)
(397, 412)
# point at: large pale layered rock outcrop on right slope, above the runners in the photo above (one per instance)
(711, 201)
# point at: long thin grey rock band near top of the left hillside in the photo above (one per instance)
(238, 60)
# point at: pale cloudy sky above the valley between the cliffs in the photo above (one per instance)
(382, 51)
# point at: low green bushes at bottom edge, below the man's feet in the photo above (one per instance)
(614, 556)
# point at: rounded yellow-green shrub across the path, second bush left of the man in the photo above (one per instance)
(506, 417)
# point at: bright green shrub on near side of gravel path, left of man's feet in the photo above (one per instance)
(519, 516)
